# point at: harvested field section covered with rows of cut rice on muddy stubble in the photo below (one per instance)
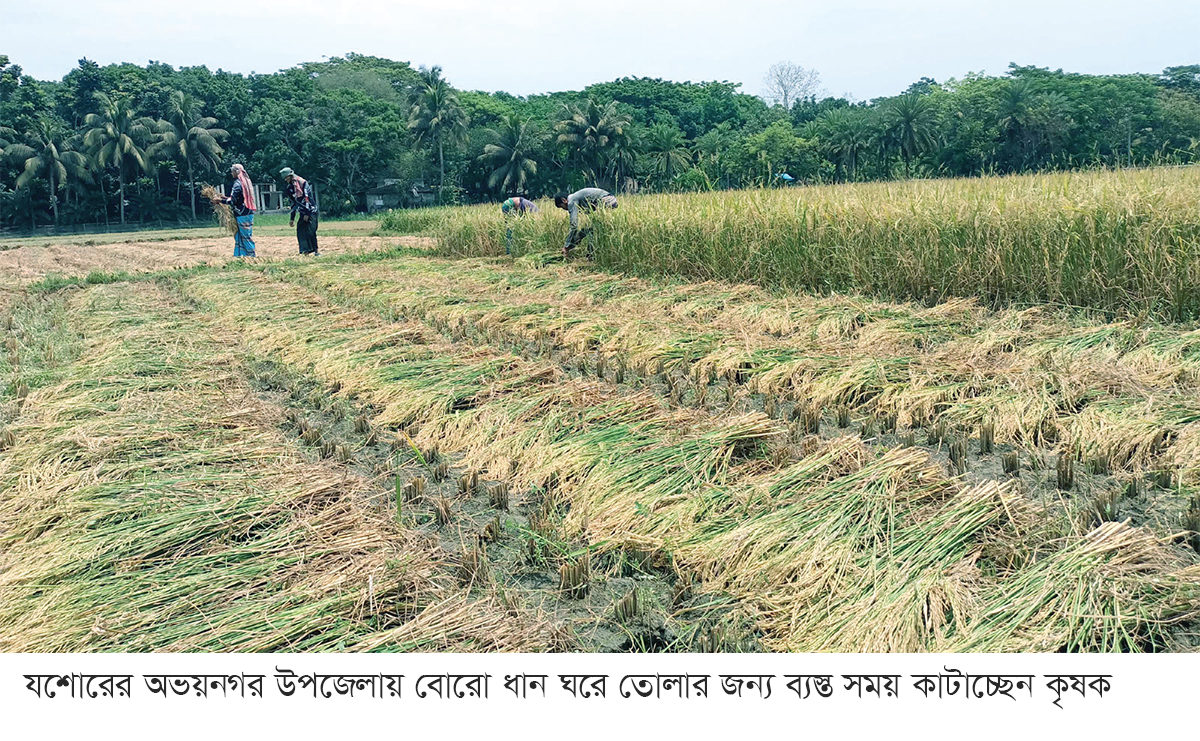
(406, 450)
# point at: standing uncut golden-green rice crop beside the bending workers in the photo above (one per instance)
(1126, 242)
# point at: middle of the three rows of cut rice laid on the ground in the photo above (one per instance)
(808, 545)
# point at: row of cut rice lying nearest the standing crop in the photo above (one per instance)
(1129, 396)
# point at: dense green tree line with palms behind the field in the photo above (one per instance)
(129, 143)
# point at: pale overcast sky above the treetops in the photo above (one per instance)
(861, 49)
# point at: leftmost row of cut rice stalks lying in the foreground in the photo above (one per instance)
(151, 504)
